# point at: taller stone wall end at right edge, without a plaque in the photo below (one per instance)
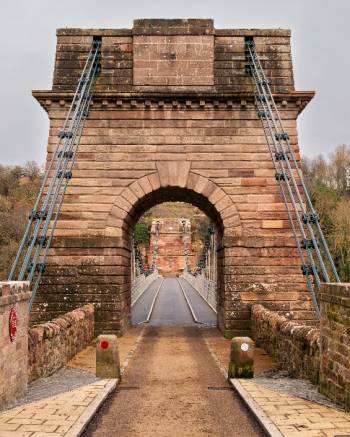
(335, 342)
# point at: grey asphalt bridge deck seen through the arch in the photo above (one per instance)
(170, 305)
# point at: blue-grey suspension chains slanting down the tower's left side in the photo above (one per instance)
(29, 264)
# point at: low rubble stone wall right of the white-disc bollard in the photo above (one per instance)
(295, 347)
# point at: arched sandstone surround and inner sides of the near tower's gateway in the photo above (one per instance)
(173, 181)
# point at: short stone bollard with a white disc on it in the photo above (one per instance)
(241, 363)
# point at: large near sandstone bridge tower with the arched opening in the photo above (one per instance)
(147, 141)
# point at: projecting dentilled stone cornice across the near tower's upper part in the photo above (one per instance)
(171, 100)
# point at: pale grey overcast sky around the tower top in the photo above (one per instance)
(320, 45)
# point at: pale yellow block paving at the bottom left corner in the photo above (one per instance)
(51, 417)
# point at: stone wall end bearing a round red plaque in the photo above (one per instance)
(13, 354)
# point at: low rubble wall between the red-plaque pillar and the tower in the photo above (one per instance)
(53, 344)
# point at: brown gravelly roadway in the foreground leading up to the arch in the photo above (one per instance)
(173, 387)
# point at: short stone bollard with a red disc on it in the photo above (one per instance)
(107, 357)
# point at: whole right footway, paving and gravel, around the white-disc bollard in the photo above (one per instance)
(285, 406)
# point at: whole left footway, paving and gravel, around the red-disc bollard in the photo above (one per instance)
(64, 403)
